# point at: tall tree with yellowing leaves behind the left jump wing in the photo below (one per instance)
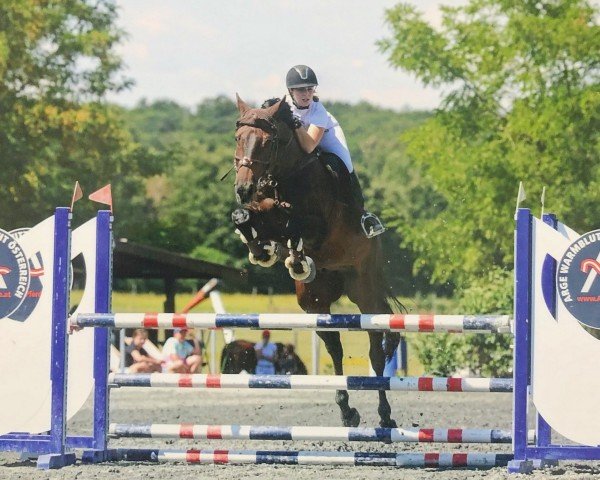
(57, 62)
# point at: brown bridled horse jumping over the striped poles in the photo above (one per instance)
(291, 201)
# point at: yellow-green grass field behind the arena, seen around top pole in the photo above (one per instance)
(355, 343)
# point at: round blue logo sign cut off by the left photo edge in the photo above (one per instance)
(14, 274)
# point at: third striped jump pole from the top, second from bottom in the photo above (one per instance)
(314, 433)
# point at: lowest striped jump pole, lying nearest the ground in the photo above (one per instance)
(383, 459)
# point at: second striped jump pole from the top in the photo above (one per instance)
(312, 382)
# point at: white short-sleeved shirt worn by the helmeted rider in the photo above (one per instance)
(333, 140)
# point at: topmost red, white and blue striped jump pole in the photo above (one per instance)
(278, 321)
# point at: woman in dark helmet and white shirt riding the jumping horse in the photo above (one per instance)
(320, 128)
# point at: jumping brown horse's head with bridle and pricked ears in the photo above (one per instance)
(262, 143)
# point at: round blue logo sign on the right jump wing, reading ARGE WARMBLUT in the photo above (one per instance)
(578, 279)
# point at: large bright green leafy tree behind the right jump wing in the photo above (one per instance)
(523, 105)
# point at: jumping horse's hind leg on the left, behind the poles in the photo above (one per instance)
(317, 297)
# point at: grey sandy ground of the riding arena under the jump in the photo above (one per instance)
(253, 407)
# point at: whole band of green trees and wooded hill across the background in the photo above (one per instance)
(522, 104)
